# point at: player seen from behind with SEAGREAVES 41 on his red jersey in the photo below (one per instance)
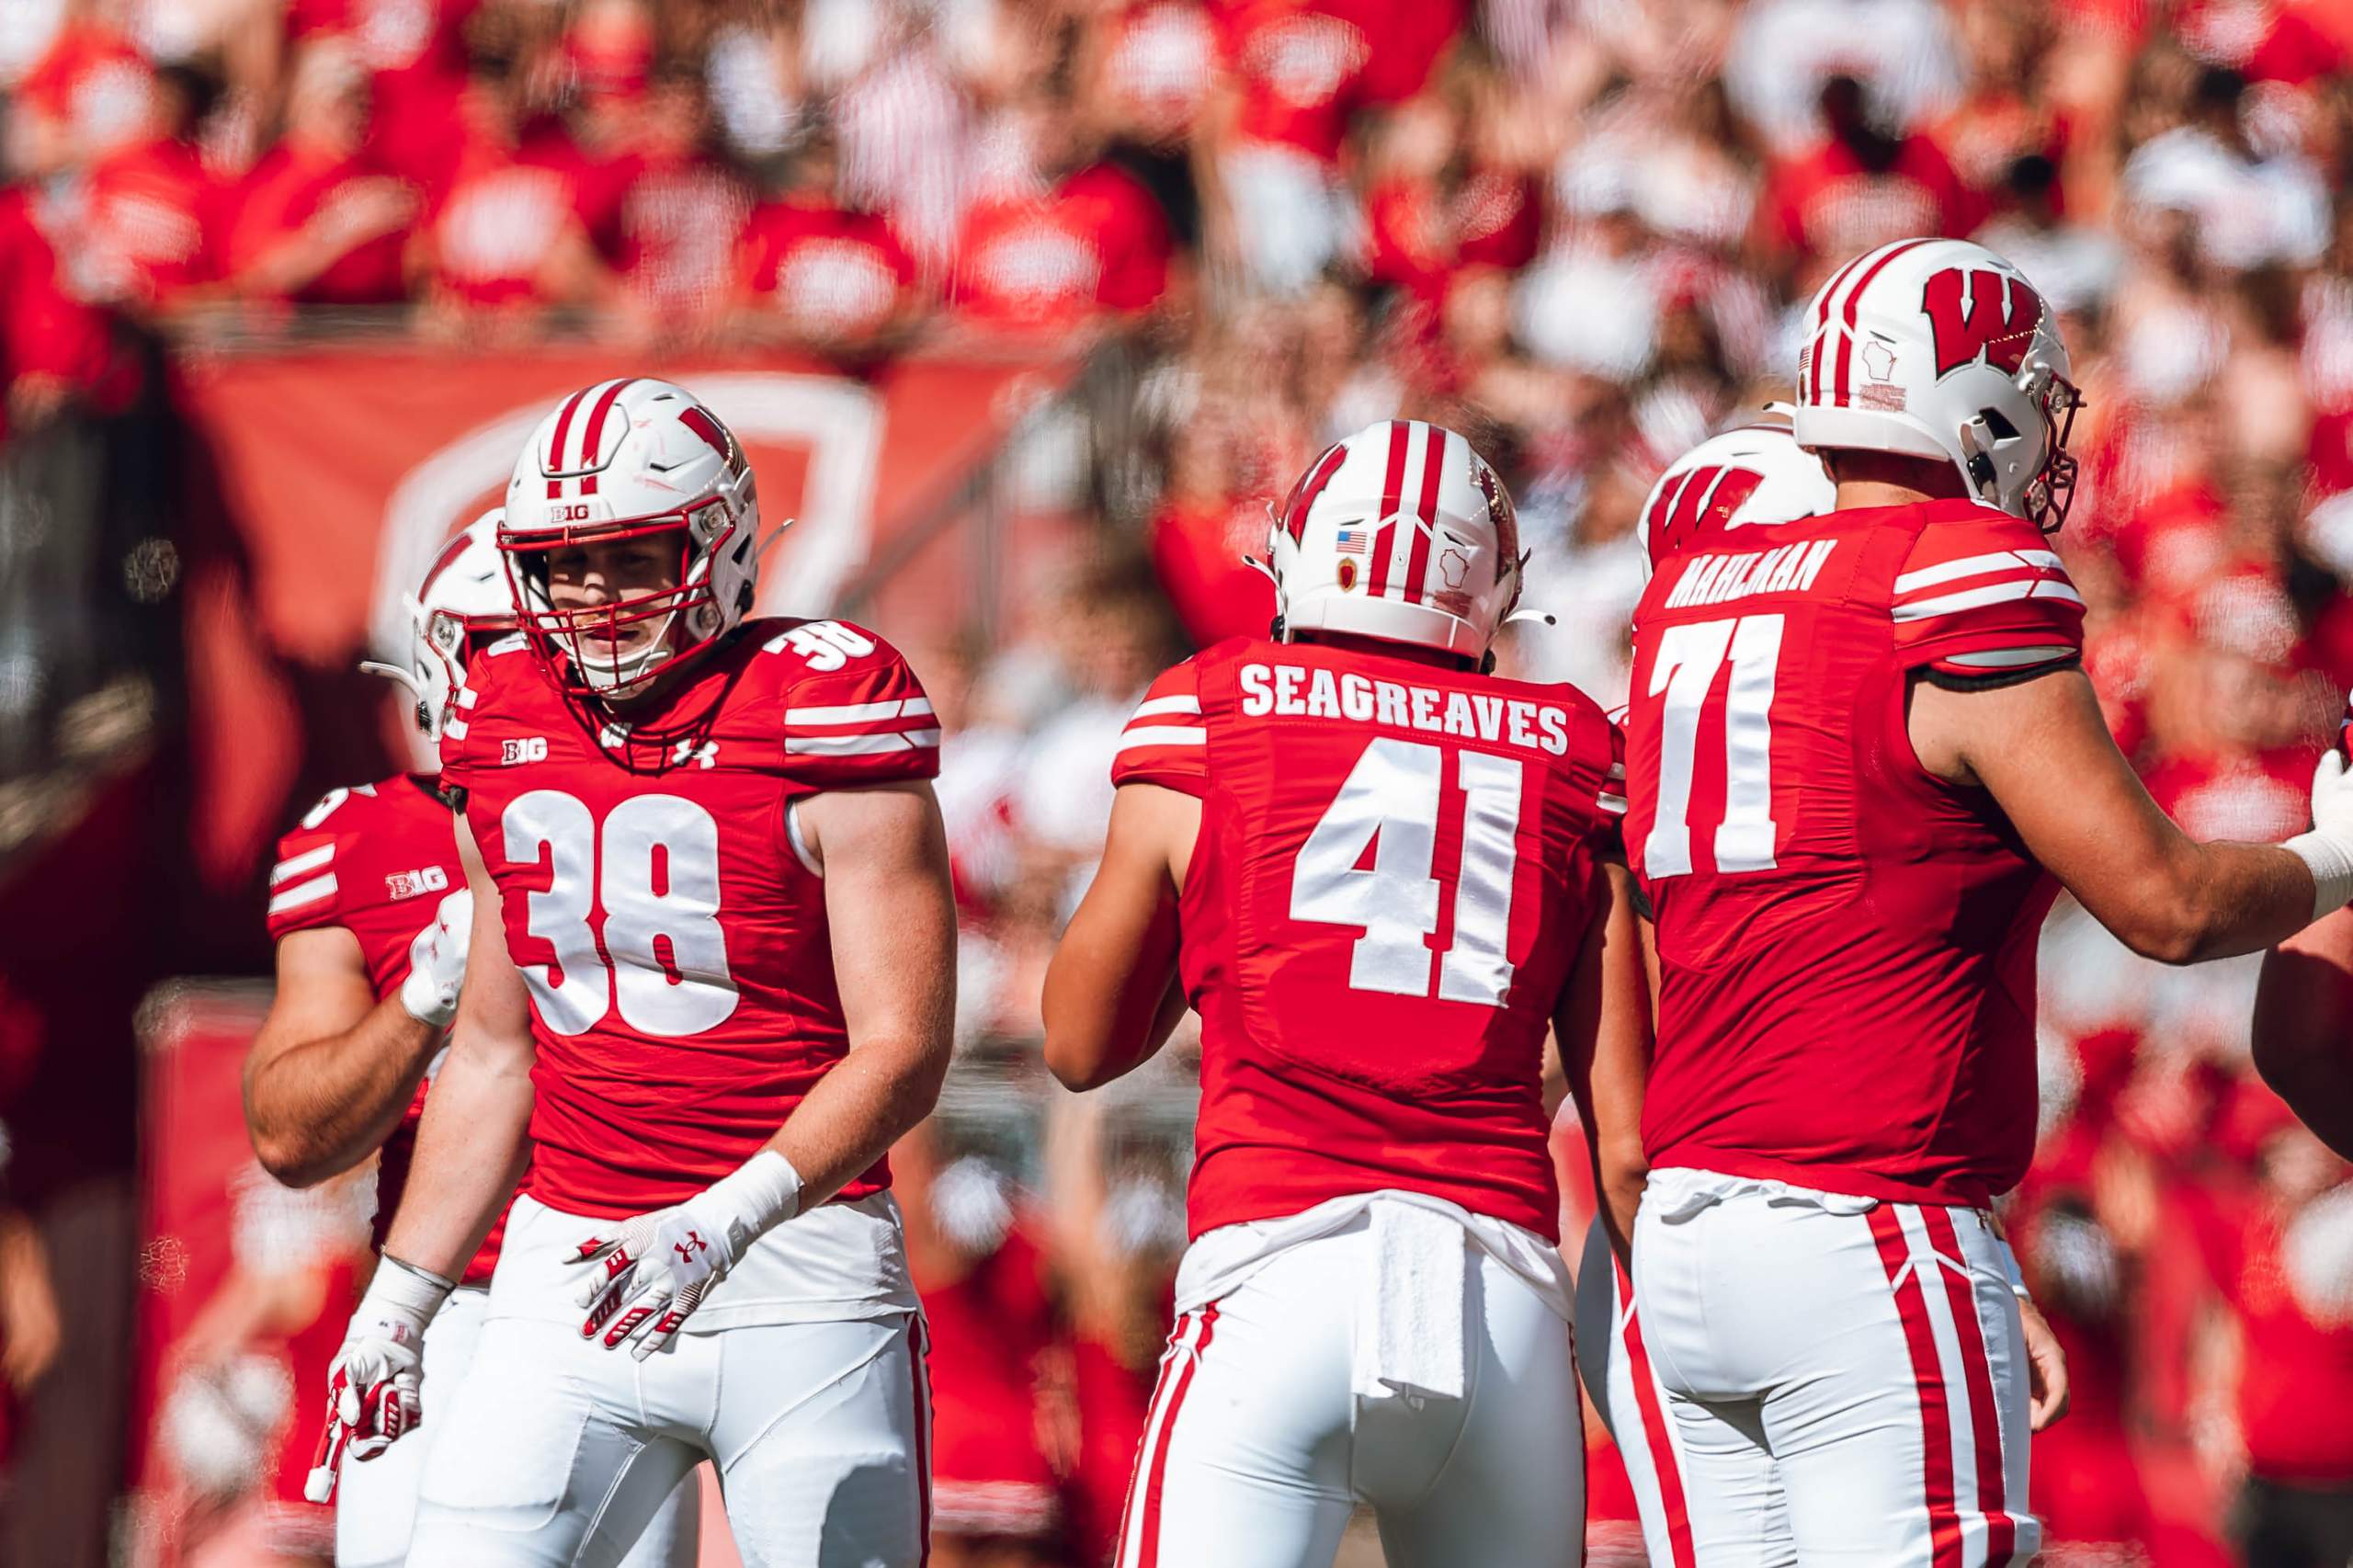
(1380, 877)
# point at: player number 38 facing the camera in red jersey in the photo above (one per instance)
(712, 981)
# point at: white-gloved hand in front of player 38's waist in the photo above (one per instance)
(648, 1275)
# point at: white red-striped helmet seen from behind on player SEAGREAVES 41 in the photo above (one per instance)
(1399, 533)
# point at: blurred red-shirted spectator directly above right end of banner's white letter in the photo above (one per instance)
(820, 274)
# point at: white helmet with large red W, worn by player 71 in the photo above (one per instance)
(1942, 350)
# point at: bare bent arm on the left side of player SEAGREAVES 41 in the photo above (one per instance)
(1112, 990)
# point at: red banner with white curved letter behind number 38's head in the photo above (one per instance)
(342, 472)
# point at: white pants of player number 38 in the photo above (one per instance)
(559, 1451)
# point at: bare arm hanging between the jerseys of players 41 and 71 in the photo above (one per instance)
(1604, 1030)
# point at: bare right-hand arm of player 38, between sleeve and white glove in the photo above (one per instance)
(893, 919)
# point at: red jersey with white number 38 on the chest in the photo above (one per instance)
(669, 926)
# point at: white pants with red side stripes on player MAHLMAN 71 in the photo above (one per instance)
(1851, 1364)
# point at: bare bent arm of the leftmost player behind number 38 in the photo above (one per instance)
(333, 1068)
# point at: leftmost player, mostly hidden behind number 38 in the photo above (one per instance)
(371, 915)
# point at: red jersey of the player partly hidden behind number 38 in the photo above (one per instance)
(378, 861)
